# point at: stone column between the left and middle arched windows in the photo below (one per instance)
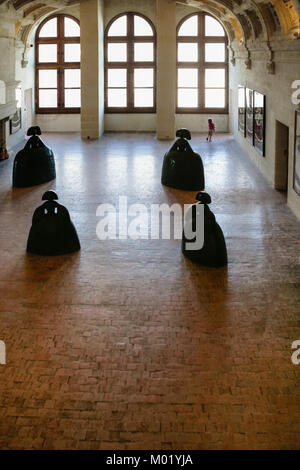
(92, 69)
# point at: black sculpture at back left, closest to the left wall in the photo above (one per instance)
(35, 163)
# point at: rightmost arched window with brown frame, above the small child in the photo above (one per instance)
(202, 65)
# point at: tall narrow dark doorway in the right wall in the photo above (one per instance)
(281, 157)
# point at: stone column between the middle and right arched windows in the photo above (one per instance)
(166, 68)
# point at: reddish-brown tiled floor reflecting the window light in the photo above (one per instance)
(127, 345)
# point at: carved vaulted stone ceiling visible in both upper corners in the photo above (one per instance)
(245, 20)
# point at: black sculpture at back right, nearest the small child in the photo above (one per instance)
(183, 168)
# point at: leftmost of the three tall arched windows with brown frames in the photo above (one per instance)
(57, 62)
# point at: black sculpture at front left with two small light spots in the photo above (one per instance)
(52, 231)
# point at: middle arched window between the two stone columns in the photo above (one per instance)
(130, 65)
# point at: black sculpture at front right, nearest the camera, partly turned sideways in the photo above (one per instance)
(214, 251)
